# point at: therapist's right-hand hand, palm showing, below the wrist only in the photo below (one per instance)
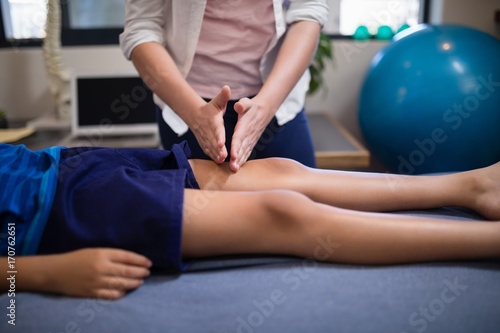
(253, 118)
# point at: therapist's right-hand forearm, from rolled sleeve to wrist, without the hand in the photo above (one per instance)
(293, 59)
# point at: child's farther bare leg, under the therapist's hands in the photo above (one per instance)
(478, 189)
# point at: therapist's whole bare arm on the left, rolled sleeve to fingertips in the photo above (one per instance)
(159, 72)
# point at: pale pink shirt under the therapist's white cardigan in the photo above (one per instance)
(235, 35)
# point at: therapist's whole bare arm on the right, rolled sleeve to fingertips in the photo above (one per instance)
(255, 114)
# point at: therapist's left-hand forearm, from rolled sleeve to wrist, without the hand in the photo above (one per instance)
(159, 72)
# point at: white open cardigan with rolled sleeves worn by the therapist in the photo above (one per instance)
(176, 24)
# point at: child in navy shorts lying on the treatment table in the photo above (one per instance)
(91, 222)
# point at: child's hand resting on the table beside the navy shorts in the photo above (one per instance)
(97, 272)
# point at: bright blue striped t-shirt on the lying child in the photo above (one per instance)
(28, 182)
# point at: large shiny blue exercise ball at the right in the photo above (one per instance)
(431, 100)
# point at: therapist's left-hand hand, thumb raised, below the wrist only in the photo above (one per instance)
(208, 127)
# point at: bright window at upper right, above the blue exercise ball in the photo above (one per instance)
(347, 15)
